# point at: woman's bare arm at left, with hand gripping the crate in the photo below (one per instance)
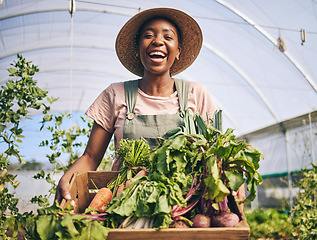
(97, 144)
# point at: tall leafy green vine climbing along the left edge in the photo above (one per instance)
(18, 97)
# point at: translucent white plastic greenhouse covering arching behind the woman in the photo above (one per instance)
(258, 61)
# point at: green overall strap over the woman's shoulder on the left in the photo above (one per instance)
(131, 93)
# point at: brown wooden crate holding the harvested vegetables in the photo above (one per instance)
(81, 188)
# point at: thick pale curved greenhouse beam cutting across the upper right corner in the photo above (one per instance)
(271, 39)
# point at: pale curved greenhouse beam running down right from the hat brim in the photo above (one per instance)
(245, 77)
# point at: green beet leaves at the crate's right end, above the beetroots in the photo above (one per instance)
(230, 164)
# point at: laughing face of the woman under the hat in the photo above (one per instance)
(158, 46)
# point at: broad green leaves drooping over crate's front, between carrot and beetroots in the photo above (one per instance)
(146, 198)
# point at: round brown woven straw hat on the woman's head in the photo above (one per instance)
(191, 35)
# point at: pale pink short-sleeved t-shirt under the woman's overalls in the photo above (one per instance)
(109, 109)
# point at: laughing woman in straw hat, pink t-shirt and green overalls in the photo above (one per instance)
(155, 44)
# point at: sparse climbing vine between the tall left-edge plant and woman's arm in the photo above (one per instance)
(63, 142)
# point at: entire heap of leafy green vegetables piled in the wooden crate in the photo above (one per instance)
(197, 164)
